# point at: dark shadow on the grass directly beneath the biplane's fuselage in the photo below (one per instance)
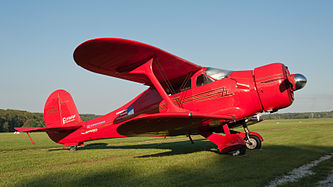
(175, 148)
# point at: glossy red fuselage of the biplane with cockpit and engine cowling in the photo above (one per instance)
(238, 94)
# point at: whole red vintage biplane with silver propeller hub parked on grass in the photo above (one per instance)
(182, 99)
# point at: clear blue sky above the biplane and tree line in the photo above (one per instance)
(37, 40)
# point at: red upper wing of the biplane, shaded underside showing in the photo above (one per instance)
(117, 57)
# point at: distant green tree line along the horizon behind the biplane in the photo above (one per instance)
(18, 118)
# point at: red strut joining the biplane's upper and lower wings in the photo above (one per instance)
(147, 69)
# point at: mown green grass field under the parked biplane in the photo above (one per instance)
(167, 162)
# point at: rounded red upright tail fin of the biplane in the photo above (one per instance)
(60, 110)
